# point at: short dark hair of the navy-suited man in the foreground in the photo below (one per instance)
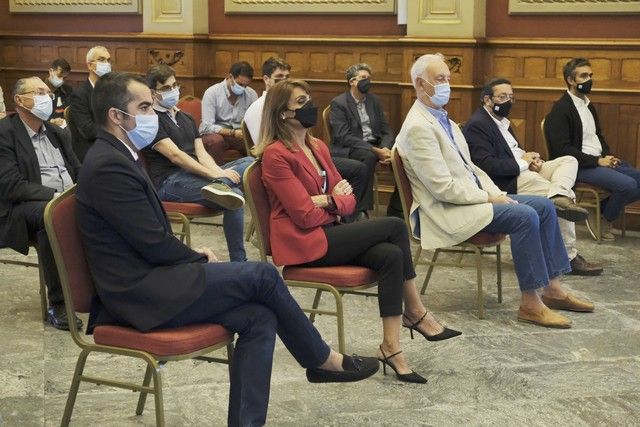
(112, 91)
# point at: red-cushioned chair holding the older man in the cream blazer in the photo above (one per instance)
(476, 245)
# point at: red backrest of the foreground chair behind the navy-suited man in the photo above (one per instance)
(66, 243)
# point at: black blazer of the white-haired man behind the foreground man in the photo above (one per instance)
(83, 125)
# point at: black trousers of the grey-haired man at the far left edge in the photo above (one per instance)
(33, 213)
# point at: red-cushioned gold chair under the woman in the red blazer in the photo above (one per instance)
(336, 280)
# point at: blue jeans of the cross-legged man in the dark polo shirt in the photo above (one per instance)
(185, 187)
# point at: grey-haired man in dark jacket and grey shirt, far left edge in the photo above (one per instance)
(36, 163)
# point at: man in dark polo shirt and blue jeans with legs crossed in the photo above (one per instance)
(183, 171)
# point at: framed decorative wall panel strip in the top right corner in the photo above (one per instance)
(574, 7)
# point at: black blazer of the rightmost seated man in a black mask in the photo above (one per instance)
(563, 131)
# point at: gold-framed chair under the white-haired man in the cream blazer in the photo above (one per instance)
(462, 248)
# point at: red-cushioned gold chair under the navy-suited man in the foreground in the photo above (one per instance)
(155, 348)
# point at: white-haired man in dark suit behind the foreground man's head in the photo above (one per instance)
(83, 124)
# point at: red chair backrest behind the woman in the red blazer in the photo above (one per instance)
(258, 200)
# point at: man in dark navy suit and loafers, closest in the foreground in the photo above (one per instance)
(148, 279)
